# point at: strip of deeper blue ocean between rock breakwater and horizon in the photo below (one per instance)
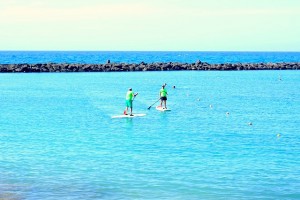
(8, 57)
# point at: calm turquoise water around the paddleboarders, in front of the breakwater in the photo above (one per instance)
(58, 141)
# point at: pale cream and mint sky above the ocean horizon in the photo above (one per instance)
(190, 25)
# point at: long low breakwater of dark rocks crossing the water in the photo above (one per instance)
(124, 67)
